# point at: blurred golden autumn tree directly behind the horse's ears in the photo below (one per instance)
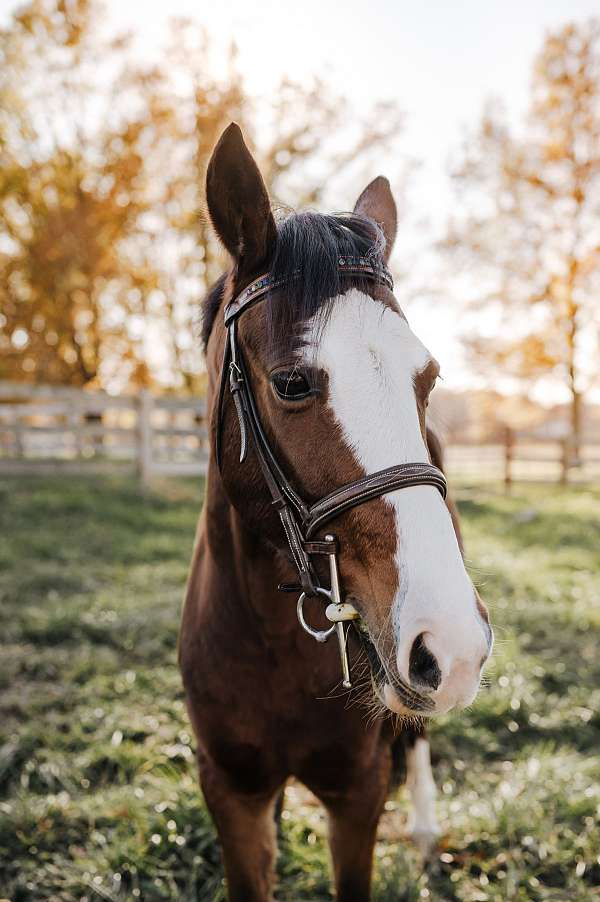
(310, 148)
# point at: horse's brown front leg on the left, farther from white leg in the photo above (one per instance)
(247, 831)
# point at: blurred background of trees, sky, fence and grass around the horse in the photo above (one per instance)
(486, 119)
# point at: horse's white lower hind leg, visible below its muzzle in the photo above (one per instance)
(423, 825)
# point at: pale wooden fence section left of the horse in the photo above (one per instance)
(59, 429)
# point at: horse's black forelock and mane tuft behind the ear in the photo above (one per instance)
(309, 243)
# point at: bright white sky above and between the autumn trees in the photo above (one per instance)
(439, 60)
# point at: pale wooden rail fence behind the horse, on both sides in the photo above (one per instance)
(54, 429)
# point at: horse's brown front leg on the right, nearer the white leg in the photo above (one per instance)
(353, 818)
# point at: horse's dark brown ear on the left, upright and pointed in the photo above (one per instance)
(238, 202)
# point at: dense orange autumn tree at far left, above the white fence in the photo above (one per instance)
(76, 125)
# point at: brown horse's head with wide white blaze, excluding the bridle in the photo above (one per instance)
(341, 384)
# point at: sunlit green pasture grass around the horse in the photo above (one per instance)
(98, 794)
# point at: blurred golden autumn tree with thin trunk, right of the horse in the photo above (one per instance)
(527, 225)
